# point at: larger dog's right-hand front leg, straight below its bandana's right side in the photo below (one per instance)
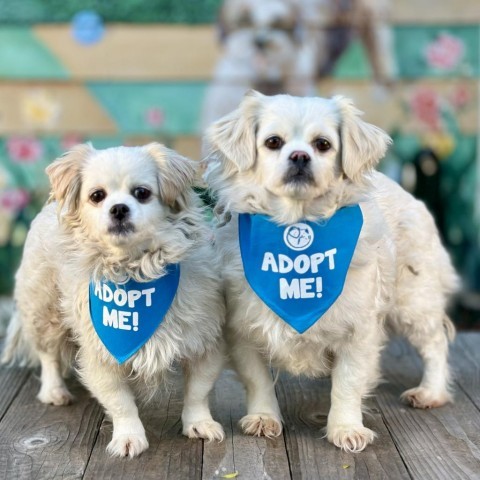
(354, 374)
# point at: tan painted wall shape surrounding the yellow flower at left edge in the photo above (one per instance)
(76, 111)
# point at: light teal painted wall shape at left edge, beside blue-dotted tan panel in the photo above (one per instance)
(23, 56)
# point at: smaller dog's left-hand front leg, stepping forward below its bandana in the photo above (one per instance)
(111, 389)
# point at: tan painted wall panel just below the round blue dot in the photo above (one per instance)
(136, 52)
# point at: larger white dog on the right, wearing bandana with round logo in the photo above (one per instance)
(291, 171)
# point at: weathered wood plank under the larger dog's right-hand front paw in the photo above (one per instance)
(305, 404)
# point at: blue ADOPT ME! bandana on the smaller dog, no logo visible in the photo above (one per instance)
(126, 315)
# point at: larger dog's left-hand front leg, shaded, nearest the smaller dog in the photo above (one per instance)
(263, 413)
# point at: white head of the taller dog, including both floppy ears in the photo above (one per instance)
(295, 148)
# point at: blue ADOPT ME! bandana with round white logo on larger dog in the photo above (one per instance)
(299, 270)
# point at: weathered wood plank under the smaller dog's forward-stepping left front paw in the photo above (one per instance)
(170, 455)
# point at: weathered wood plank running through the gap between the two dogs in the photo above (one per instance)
(251, 457)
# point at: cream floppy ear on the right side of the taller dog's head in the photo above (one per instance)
(362, 144)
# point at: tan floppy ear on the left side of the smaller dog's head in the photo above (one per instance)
(65, 175)
